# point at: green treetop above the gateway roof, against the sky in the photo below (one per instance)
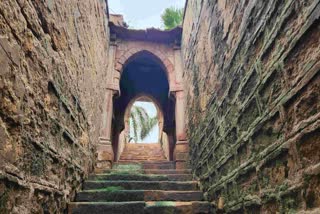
(172, 17)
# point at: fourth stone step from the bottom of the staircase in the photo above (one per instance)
(141, 177)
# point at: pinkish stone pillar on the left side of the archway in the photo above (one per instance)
(105, 154)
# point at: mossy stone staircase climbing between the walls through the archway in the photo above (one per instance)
(143, 181)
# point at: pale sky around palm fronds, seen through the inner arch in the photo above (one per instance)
(152, 112)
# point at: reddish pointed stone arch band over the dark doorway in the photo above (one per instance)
(124, 56)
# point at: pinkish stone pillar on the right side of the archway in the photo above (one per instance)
(181, 150)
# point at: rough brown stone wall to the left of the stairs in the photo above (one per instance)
(53, 58)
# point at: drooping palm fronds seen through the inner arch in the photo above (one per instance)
(142, 123)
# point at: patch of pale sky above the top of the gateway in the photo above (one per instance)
(142, 14)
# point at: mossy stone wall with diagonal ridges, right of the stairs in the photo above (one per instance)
(253, 80)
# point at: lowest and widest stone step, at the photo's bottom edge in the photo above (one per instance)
(140, 207)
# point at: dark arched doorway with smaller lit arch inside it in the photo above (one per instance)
(144, 77)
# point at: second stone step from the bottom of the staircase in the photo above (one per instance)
(137, 195)
